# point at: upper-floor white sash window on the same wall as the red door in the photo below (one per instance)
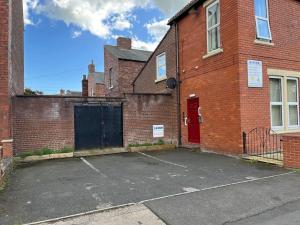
(213, 26)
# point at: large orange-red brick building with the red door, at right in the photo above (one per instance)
(239, 67)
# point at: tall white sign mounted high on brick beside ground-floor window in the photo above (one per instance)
(255, 74)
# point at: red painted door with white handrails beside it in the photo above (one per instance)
(193, 120)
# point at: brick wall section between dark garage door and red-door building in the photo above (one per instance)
(141, 112)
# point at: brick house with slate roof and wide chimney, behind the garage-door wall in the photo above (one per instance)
(122, 65)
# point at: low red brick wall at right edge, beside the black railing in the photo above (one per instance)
(291, 151)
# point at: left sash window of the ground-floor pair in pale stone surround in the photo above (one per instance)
(276, 98)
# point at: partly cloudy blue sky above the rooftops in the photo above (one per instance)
(63, 36)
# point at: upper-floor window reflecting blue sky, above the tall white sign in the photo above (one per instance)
(263, 30)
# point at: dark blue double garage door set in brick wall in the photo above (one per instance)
(98, 127)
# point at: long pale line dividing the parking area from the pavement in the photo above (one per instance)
(153, 199)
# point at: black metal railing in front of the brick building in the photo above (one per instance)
(263, 142)
